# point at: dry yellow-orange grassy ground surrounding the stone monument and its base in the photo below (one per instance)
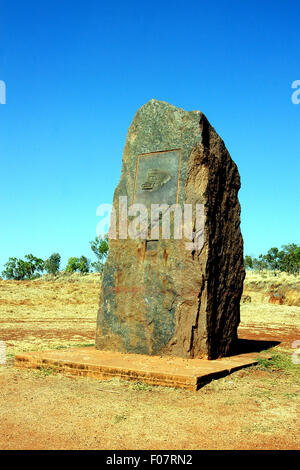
(255, 408)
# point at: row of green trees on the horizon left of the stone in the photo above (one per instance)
(32, 267)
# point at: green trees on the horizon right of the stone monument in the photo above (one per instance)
(286, 259)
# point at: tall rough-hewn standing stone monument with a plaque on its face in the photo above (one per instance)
(172, 296)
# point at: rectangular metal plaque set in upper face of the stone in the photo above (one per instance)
(157, 178)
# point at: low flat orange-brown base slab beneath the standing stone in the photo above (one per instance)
(167, 371)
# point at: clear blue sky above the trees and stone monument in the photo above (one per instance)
(76, 72)
